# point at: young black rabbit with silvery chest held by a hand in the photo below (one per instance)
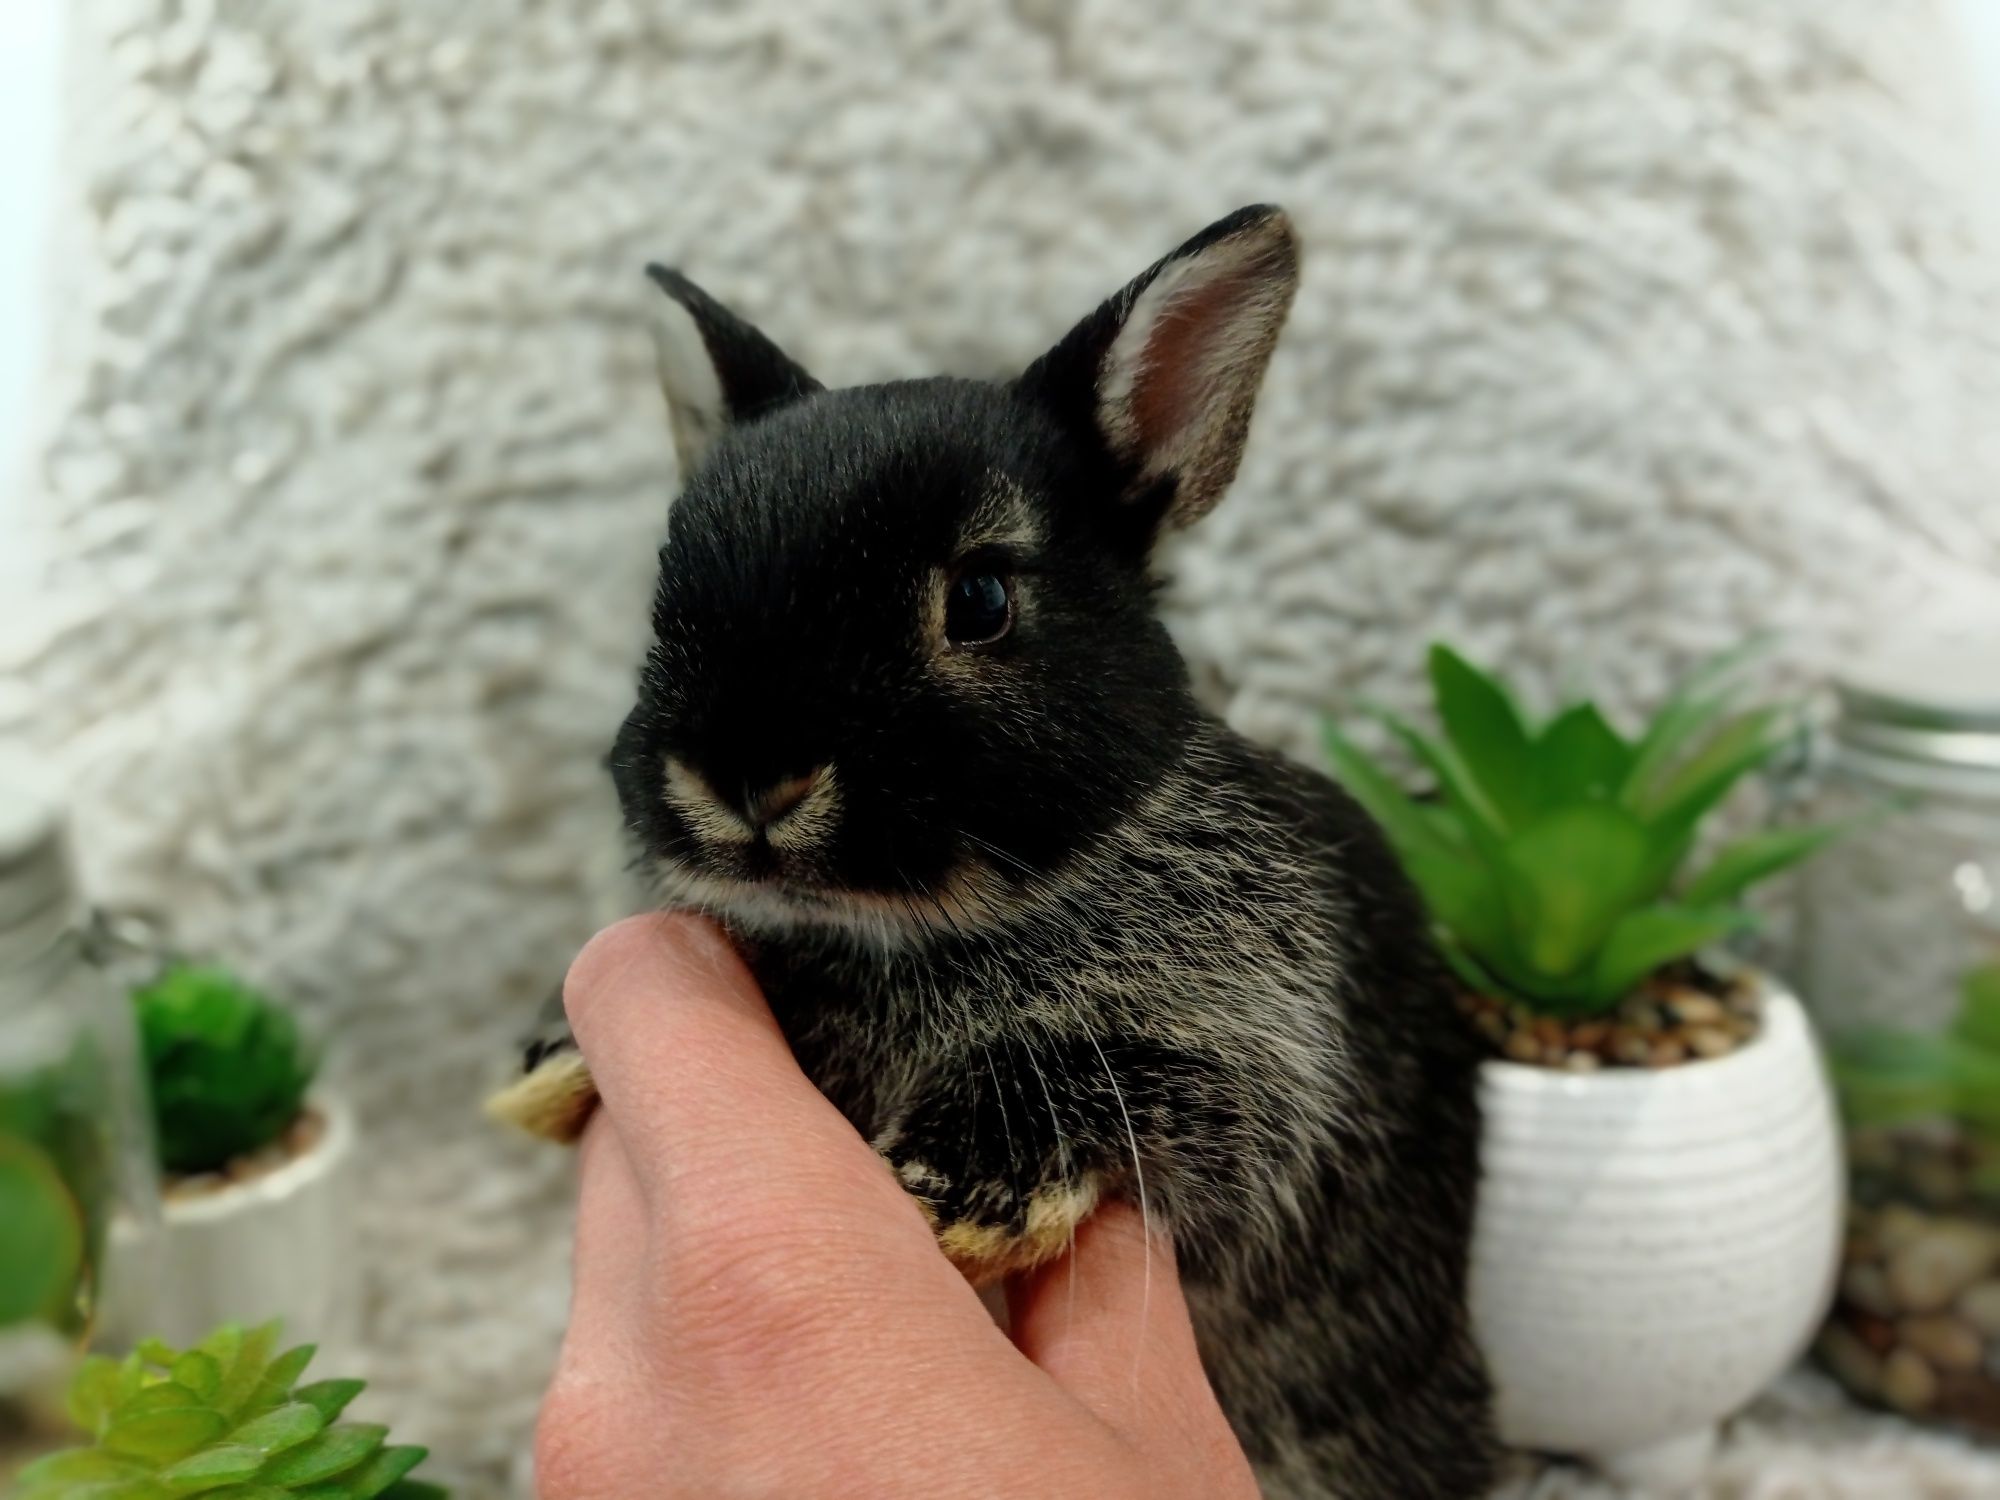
(1039, 925)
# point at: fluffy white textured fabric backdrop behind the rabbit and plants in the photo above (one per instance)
(1625, 329)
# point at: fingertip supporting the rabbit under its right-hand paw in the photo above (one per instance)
(1109, 1325)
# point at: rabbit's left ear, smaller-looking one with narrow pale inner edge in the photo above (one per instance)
(715, 369)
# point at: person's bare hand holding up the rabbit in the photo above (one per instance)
(761, 1311)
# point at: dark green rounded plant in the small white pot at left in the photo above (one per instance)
(229, 1069)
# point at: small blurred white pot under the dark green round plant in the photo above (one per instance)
(275, 1247)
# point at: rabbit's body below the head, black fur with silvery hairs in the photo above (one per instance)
(1231, 1013)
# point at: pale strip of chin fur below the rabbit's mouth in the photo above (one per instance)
(971, 901)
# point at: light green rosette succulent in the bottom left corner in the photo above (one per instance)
(223, 1421)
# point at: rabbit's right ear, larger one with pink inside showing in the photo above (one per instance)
(1169, 369)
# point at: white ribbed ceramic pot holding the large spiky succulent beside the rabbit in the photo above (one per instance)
(1655, 1247)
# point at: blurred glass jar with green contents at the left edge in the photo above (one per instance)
(75, 1135)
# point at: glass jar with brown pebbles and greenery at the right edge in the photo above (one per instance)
(1899, 955)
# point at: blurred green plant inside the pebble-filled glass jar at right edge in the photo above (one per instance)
(1891, 1077)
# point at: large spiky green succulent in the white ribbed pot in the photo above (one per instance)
(1553, 857)
